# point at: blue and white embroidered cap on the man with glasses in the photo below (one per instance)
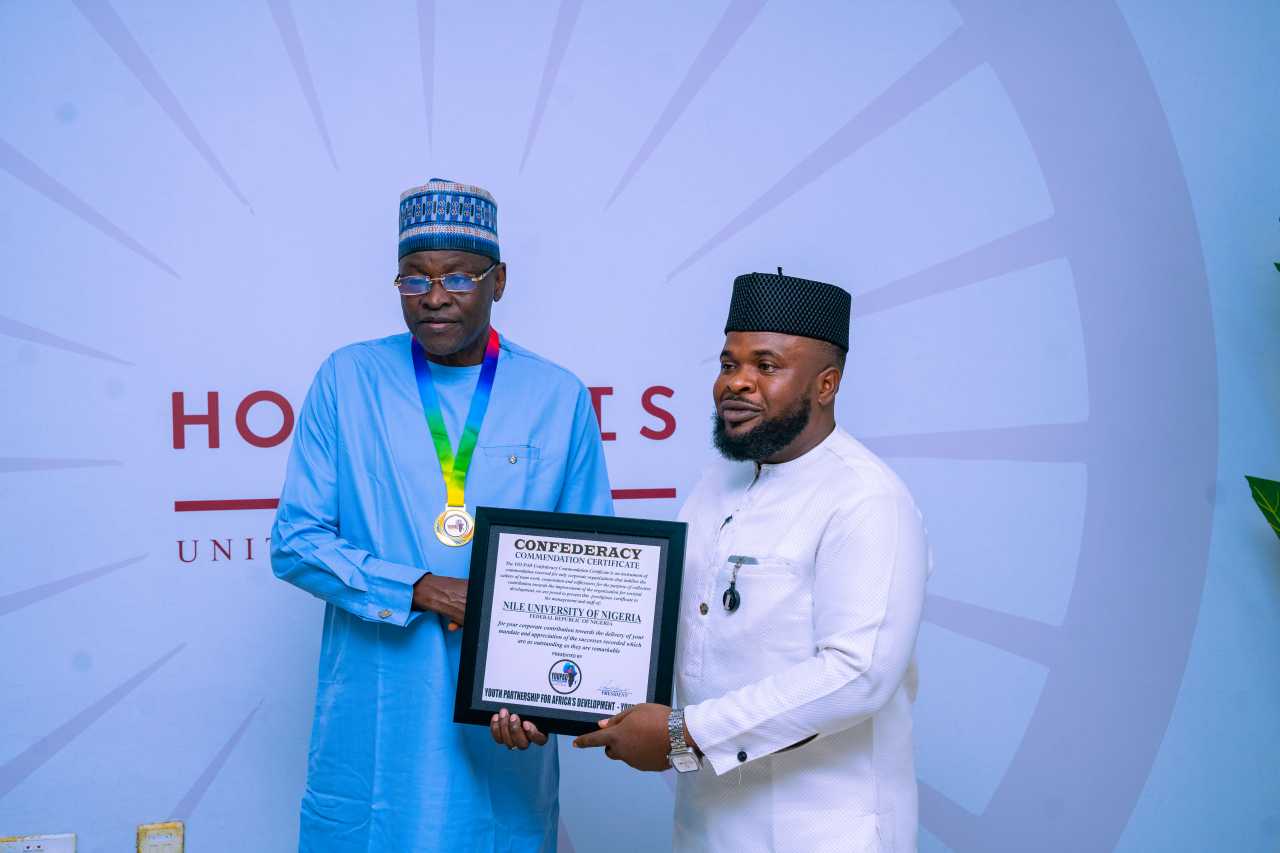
(449, 216)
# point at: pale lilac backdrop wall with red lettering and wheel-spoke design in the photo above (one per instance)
(202, 200)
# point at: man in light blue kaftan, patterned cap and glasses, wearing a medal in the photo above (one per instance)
(390, 772)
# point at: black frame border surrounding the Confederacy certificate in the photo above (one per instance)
(470, 706)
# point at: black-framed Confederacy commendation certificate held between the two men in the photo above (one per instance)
(570, 618)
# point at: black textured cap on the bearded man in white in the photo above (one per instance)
(790, 305)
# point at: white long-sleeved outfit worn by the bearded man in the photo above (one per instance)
(821, 649)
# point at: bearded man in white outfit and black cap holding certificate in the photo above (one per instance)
(804, 582)
